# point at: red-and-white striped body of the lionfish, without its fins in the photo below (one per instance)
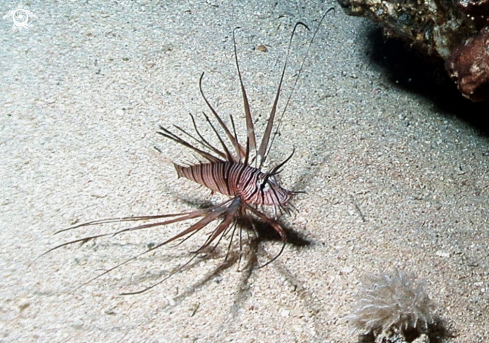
(237, 179)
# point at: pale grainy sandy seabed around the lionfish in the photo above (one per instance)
(83, 92)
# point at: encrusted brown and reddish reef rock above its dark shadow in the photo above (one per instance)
(455, 30)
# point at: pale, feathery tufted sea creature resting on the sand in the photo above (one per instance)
(392, 303)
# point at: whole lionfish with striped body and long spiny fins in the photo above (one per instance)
(235, 170)
